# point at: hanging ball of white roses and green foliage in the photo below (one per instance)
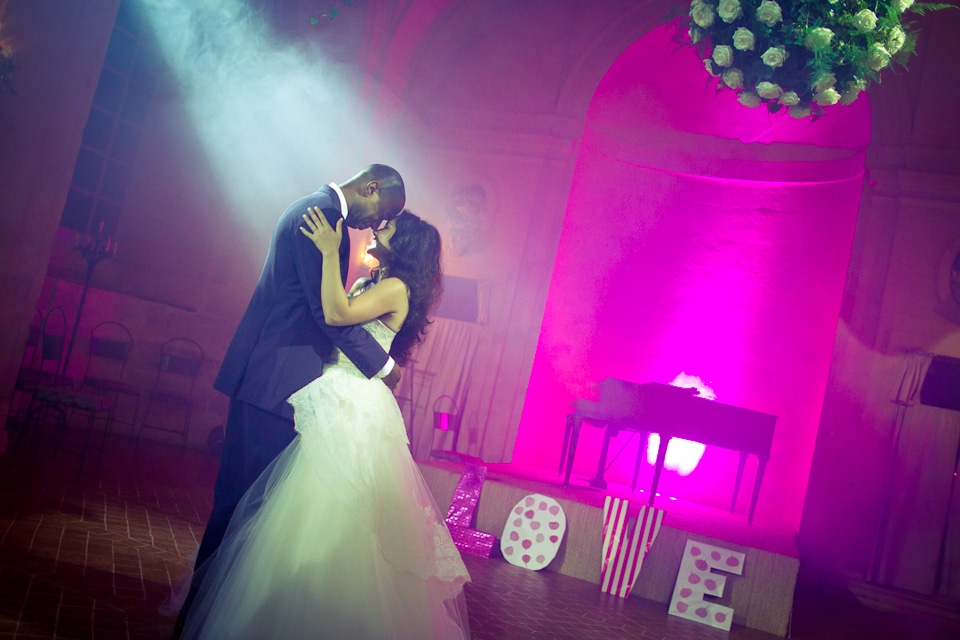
(802, 55)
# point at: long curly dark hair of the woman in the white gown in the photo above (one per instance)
(414, 258)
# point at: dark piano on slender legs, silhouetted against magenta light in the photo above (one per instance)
(671, 412)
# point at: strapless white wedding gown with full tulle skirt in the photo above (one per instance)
(340, 537)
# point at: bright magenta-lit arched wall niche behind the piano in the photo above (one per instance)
(693, 246)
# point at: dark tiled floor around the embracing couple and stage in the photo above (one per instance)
(95, 558)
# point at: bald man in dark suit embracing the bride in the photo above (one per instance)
(282, 341)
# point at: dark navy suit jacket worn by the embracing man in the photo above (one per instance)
(283, 342)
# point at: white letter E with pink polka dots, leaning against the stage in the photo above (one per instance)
(696, 580)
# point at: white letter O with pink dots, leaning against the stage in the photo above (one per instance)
(533, 532)
